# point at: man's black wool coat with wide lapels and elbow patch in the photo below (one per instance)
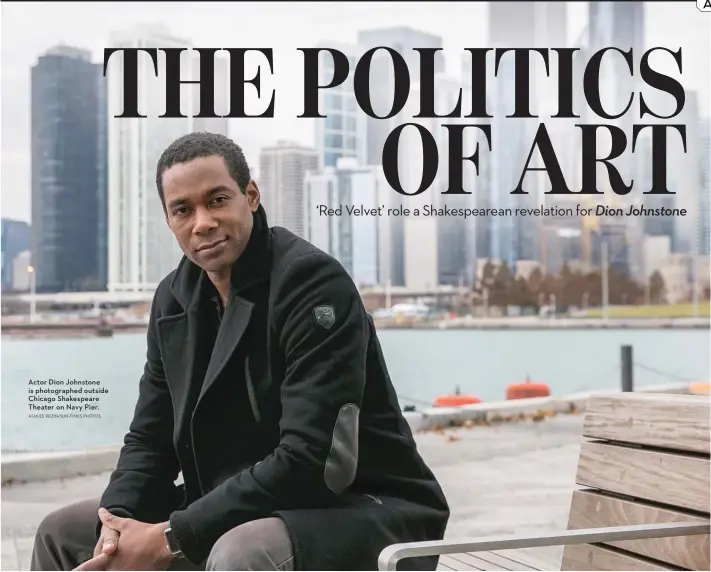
(292, 414)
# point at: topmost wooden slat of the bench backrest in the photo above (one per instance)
(678, 422)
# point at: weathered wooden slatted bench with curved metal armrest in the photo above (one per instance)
(643, 504)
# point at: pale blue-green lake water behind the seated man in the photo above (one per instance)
(422, 363)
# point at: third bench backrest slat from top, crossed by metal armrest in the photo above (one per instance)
(591, 509)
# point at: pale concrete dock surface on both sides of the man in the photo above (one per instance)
(511, 478)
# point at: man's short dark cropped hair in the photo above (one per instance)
(194, 145)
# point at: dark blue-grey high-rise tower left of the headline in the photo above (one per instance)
(68, 235)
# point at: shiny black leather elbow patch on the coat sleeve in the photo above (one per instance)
(342, 461)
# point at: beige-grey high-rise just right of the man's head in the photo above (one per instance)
(282, 169)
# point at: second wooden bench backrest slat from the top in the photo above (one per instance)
(668, 478)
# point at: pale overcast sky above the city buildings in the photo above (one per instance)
(29, 29)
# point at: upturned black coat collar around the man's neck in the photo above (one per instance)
(190, 282)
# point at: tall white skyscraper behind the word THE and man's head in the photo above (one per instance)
(142, 249)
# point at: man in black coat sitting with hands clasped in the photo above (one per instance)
(265, 384)
